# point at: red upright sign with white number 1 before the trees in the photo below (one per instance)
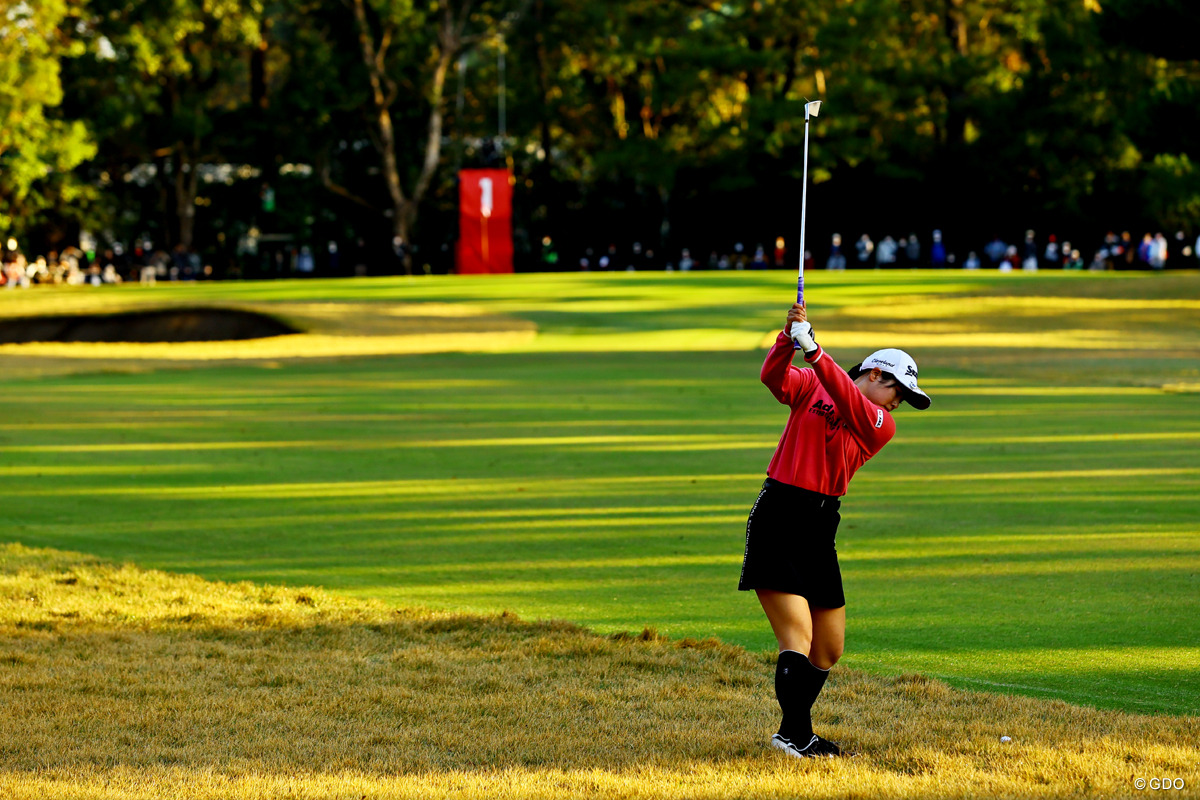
(485, 221)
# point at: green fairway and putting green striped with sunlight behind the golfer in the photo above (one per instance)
(1036, 532)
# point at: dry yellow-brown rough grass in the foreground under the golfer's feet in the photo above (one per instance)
(123, 683)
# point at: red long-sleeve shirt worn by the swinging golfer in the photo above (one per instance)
(833, 429)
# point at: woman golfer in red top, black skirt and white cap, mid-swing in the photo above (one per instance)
(838, 423)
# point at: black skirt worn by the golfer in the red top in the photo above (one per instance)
(790, 545)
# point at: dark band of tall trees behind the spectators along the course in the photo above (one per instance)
(250, 129)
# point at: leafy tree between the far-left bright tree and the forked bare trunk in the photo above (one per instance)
(170, 85)
